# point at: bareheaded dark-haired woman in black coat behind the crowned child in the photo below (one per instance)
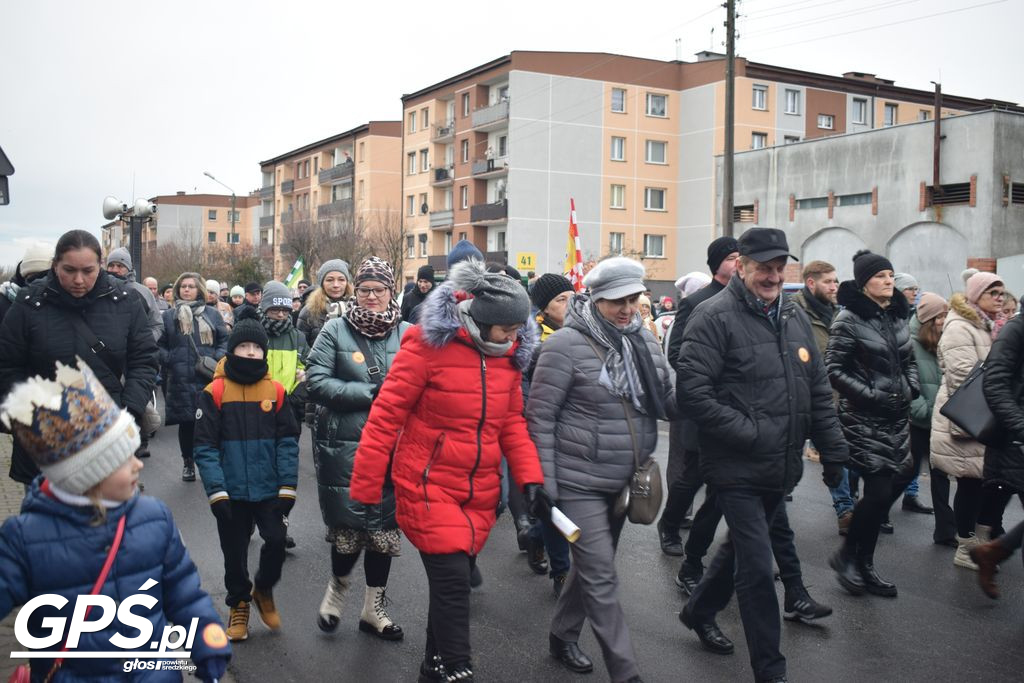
(77, 311)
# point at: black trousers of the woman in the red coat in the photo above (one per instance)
(448, 616)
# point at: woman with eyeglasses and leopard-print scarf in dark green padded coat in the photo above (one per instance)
(345, 373)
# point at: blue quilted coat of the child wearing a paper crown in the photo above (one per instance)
(53, 547)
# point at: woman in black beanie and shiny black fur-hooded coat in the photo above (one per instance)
(870, 360)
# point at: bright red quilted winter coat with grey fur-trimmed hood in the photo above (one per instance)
(448, 413)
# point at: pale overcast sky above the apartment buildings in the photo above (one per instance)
(139, 99)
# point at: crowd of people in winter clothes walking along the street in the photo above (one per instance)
(435, 407)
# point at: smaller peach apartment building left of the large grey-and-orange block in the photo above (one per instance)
(353, 177)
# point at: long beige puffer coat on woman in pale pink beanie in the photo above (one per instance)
(966, 339)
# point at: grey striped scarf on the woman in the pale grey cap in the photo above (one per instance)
(629, 371)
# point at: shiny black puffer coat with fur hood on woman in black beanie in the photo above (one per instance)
(871, 365)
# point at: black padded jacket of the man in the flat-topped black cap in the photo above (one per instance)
(757, 391)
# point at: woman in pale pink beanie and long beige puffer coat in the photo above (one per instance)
(974, 321)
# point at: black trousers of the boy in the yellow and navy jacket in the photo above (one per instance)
(235, 535)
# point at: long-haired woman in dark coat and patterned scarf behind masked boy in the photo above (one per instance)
(191, 329)
